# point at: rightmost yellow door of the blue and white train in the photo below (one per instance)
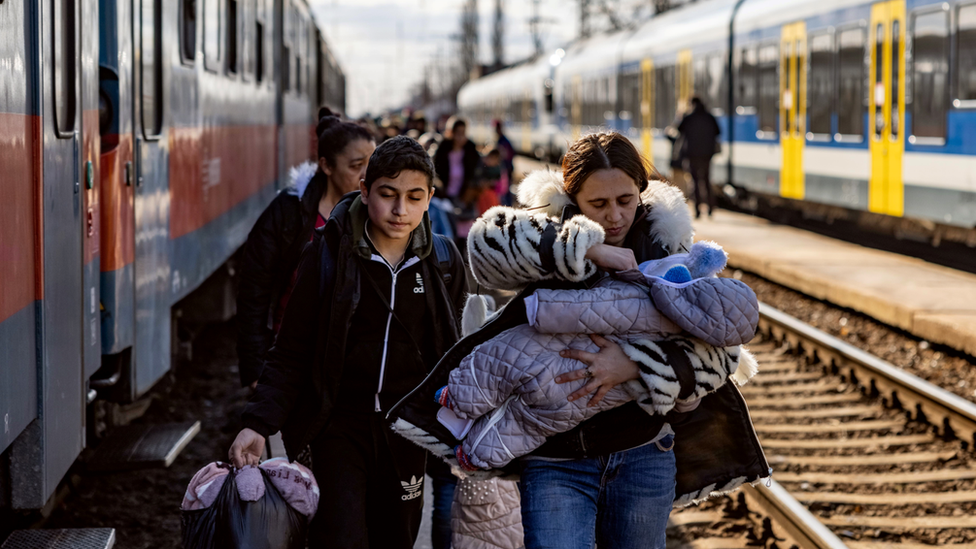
(887, 108)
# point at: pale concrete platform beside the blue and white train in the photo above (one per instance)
(930, 301)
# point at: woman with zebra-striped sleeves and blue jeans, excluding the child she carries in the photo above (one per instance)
(611, 481)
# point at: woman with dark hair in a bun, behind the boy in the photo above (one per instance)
(274, 245)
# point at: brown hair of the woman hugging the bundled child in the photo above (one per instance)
(604, 151)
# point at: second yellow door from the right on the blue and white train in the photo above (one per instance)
(793, 109)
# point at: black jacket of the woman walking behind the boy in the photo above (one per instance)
(270, 257)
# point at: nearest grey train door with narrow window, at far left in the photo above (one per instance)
(61, 434)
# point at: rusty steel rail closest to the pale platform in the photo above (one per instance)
(954, 414)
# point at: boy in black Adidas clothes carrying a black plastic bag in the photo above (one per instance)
(373, 309)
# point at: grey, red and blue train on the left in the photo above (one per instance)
(139, 142)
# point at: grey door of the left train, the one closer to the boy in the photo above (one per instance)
(154, 283)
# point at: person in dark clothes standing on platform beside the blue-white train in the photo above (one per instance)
(700, 131)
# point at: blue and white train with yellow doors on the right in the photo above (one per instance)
(844, 107)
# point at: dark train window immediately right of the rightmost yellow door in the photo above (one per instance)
(930, 80)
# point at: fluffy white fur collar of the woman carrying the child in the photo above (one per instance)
(669, 216)
